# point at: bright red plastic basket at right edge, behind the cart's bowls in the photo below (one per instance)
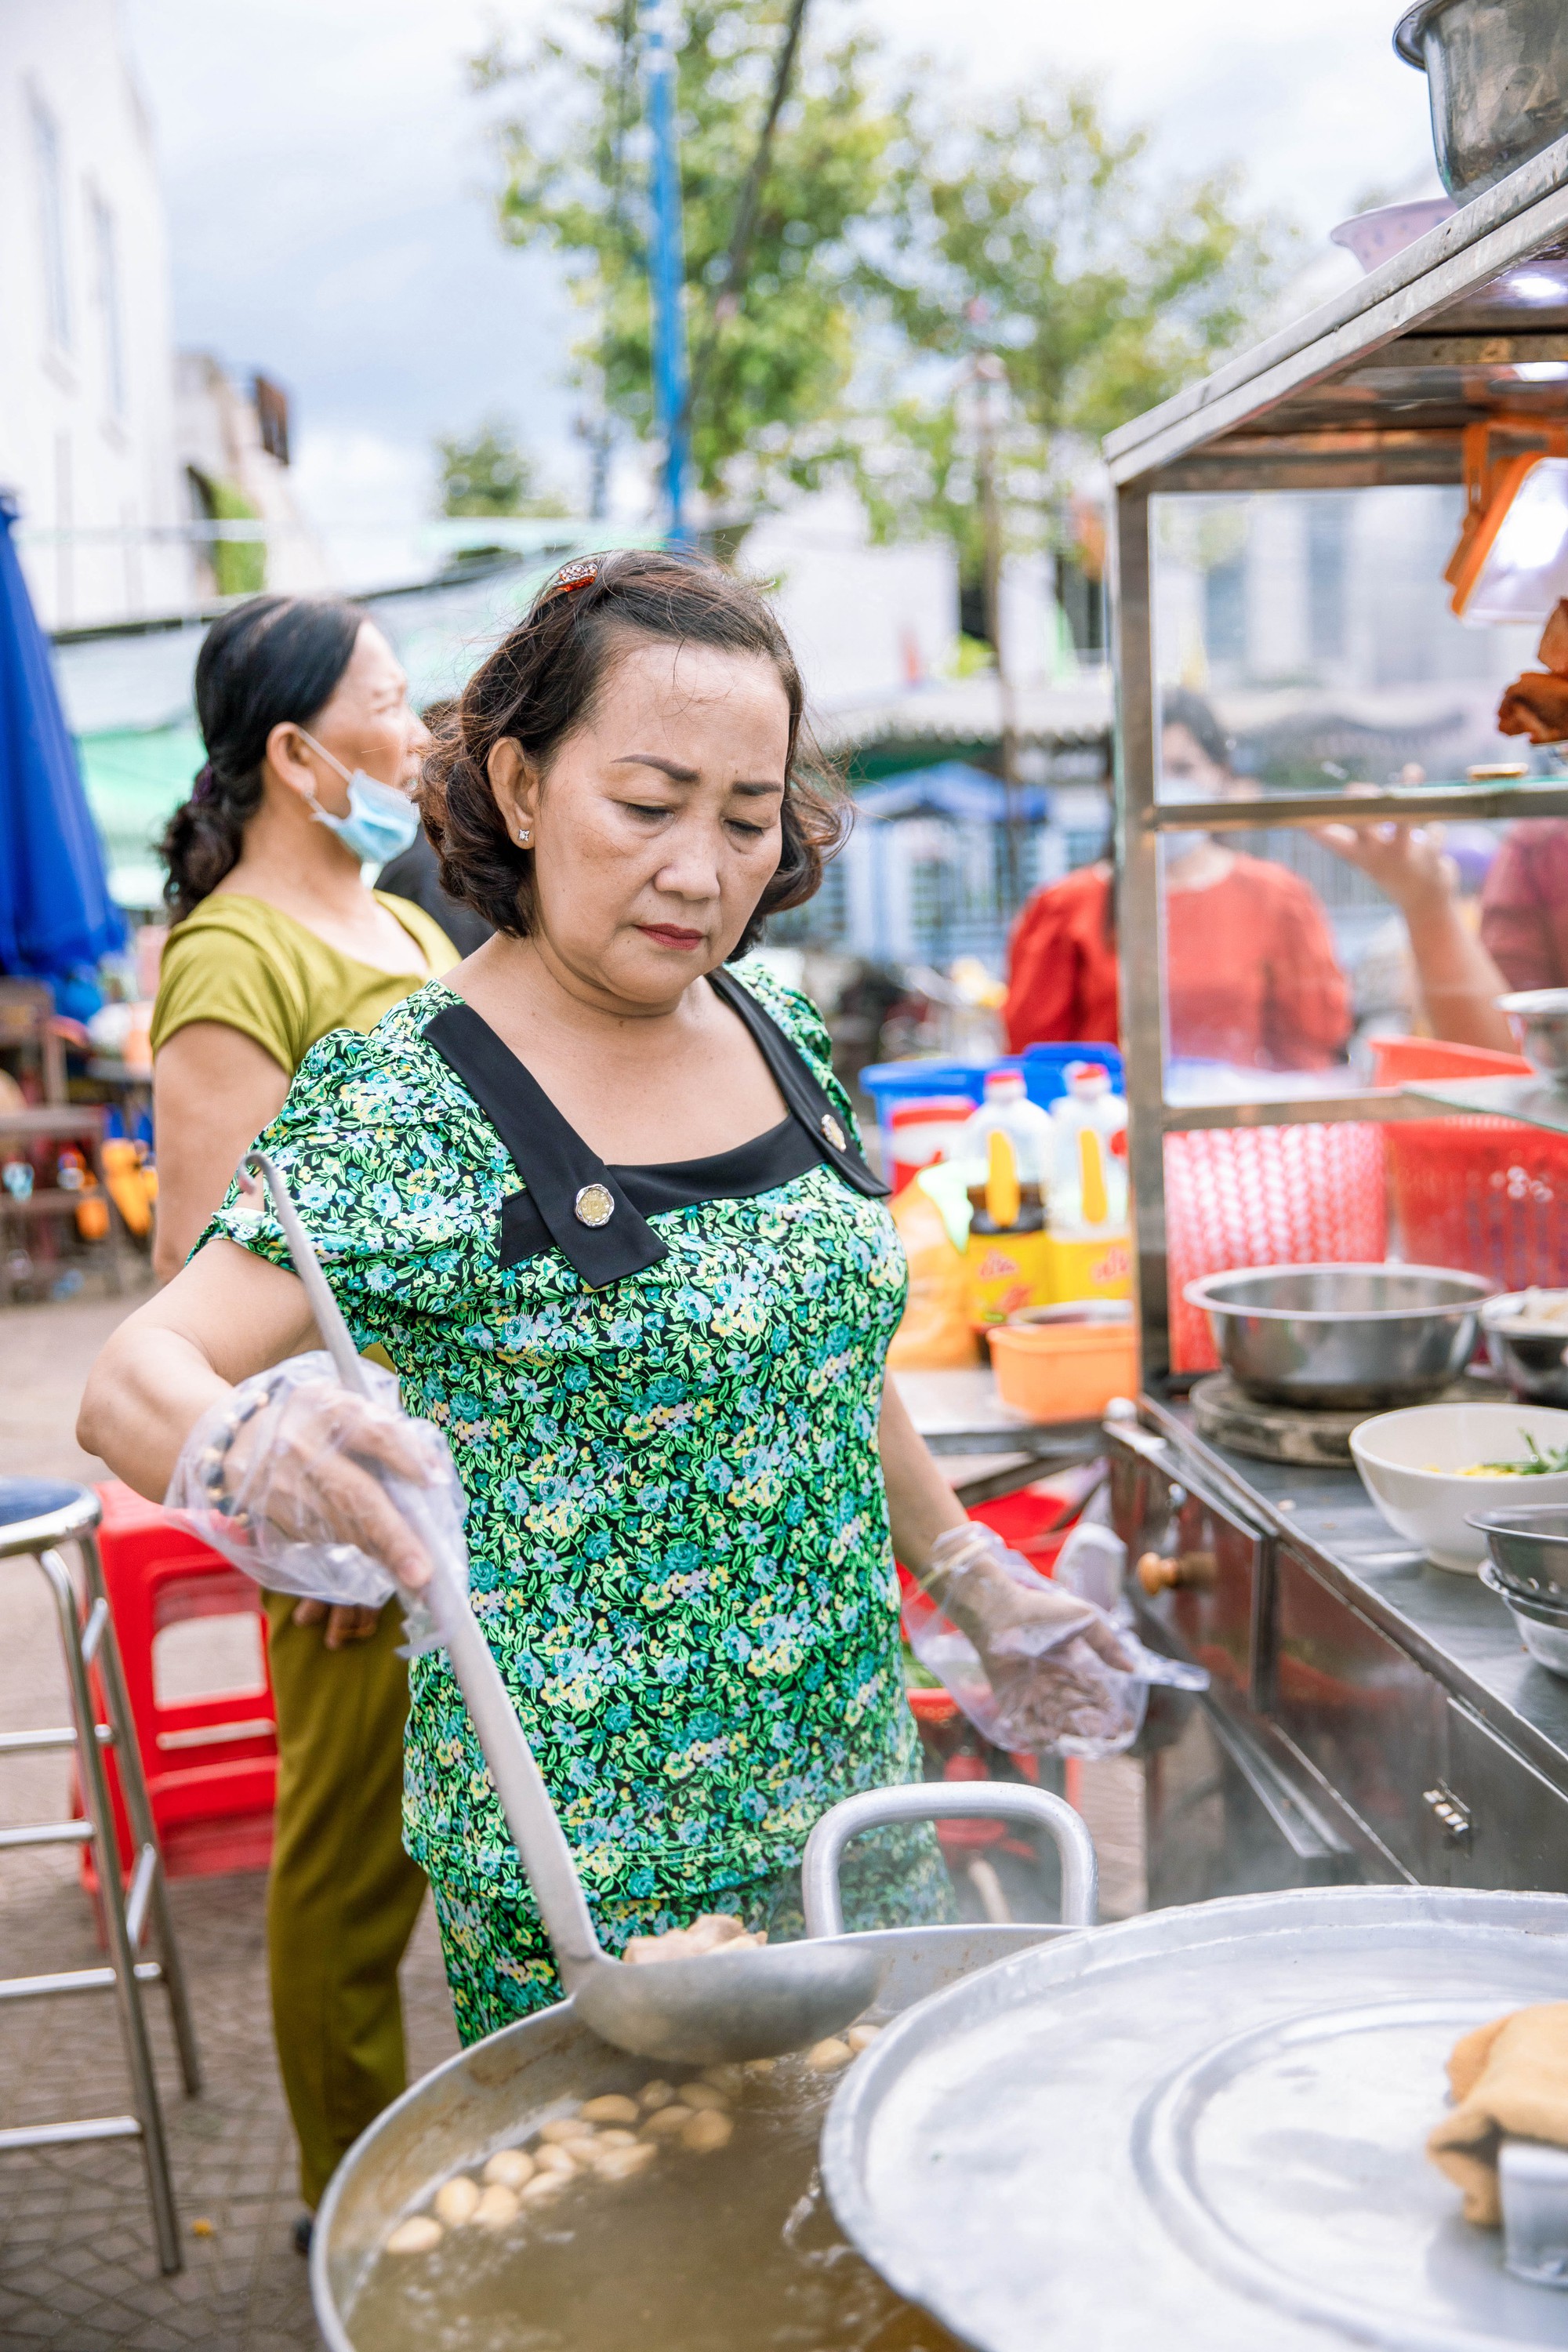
(1482, 1194)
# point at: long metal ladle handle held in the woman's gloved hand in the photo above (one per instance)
(525, 1800)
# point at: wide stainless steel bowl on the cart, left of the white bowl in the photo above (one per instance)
(1343, 1337)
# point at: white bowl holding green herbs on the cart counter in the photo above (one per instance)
(1428, 1506)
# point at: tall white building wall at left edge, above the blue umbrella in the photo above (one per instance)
(86, 356)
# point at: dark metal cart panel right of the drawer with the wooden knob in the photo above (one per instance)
(1360, 1711)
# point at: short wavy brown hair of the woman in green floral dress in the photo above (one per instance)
(544, 681)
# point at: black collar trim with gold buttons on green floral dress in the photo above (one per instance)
(558, 1168)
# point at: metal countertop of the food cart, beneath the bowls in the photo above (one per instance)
(1449, 1624)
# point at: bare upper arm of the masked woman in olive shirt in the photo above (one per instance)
(213, 1095)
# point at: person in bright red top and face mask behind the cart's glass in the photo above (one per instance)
(1252, 975)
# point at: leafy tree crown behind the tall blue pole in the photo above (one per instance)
(782, 356)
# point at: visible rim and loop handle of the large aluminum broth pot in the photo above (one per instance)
(490, 2094)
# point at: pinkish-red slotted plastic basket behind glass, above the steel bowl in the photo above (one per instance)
(1268, 1196)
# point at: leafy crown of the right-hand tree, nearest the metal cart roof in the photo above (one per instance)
(1036, 241)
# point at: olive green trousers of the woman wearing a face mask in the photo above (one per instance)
(344, 1897)
